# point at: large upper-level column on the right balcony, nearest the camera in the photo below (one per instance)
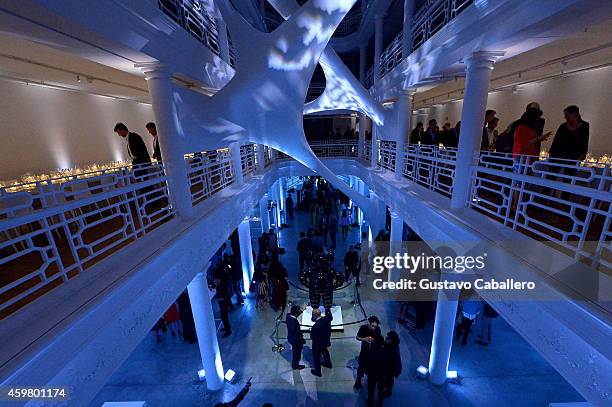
(478, 66)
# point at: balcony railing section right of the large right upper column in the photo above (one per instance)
(564, 202)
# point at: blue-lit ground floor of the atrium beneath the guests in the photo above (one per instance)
(507, 373)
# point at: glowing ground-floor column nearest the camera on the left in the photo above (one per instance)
(207, 332)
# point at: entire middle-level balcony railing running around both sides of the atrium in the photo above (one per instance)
(56, 229)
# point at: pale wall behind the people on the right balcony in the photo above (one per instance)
(590, 91)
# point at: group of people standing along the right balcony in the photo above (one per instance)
(523, 136)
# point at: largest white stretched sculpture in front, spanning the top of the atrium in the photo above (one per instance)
(264, 102)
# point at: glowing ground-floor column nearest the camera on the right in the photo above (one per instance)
(442, 340)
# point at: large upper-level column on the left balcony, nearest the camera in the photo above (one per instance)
(171, 139)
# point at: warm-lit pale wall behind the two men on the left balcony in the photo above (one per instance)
(43, 129)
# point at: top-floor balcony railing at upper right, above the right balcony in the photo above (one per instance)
(428, 20)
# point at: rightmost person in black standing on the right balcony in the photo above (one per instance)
(571, 141)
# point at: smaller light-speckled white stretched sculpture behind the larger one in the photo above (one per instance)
(342, 89)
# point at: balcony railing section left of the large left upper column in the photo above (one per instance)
(56, 229)
